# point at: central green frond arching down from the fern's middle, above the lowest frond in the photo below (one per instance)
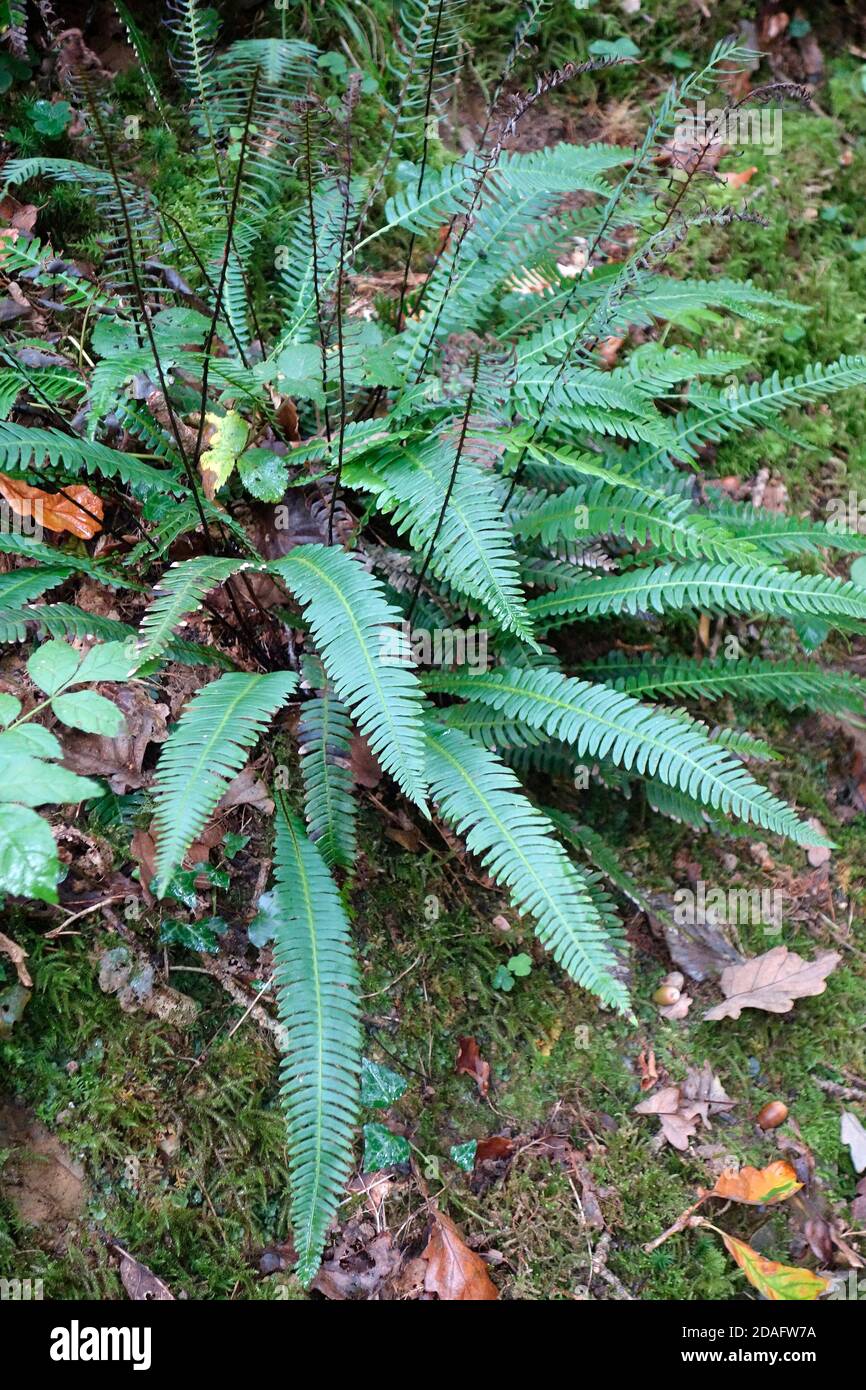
(352, 626)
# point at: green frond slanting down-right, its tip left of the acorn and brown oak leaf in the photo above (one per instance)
(483, 801)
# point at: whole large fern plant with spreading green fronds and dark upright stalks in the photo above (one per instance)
(444, 461)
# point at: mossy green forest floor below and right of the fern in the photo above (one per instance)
(166, 1139)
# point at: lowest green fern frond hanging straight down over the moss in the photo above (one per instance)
(316, 981)
